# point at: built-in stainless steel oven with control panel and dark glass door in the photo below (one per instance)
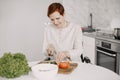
(107, 55)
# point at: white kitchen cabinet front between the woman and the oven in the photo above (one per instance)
(89, 48)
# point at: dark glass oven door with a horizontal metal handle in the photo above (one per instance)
(106, 58)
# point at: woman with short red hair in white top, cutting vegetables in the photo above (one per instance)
(61, 38)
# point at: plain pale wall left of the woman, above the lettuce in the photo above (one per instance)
(21, 26)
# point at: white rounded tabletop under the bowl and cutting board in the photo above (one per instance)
(82, 72)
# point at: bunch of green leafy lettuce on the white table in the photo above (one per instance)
(13, 65)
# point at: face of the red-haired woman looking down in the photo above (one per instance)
(57, 19)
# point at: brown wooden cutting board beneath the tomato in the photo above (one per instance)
(68, 70)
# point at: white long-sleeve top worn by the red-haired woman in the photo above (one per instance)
(65, 39)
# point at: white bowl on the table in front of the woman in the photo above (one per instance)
(45, 71)
